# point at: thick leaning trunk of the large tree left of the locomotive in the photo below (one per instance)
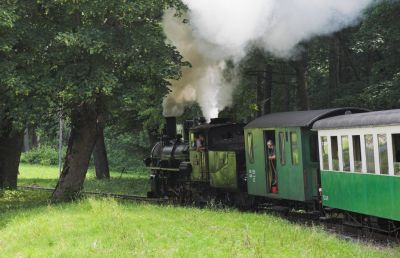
(84, 131)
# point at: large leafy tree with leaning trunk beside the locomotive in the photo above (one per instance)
(106, 50)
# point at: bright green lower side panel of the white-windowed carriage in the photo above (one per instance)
(369, 194)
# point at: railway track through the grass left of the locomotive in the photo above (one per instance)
(137, 198)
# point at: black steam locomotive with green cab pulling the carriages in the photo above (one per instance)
(182, 171)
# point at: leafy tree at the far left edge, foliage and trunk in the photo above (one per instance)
(23, 97)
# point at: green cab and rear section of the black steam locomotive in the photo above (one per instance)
(222, 162)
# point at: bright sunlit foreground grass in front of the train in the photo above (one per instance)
(29, 227)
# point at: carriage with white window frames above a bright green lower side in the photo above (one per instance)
(373, 188)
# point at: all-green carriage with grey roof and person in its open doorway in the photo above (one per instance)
(297, 165)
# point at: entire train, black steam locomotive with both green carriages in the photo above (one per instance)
(339, 161)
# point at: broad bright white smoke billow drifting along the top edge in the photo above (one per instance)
(275, 25)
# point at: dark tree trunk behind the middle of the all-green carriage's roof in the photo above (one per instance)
(302, 96)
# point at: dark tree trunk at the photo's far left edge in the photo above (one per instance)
(10, 153)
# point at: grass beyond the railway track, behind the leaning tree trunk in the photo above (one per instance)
(133, 182)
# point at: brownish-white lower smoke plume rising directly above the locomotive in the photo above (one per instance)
(204, 82)
